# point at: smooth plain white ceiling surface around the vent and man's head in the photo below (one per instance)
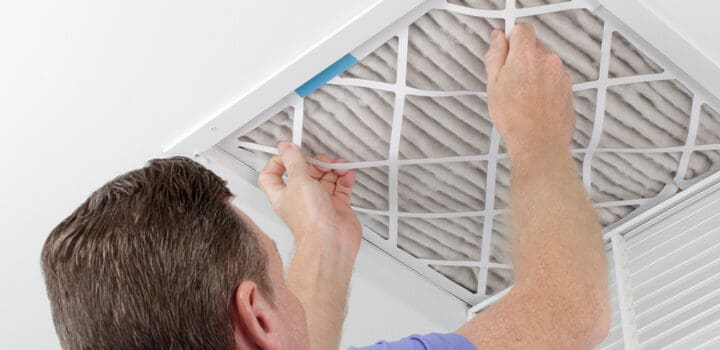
(90, 89)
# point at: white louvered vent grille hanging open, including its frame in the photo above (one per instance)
(670, 270)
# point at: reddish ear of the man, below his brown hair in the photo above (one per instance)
(254, 321)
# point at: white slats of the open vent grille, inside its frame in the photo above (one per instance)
(668, 311)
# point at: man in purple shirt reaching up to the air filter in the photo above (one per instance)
(159, 259)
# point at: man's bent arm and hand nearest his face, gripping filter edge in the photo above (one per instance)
(315, 204)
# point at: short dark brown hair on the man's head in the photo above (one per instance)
(151, 260)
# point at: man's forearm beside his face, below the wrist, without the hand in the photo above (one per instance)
(319, 276)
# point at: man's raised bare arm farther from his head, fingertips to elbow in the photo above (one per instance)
(560, 296)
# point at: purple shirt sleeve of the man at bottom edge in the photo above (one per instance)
(433, 341)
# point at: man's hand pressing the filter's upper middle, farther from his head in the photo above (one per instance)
(529, 95)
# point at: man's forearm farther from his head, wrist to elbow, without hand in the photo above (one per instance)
(558, 246)
